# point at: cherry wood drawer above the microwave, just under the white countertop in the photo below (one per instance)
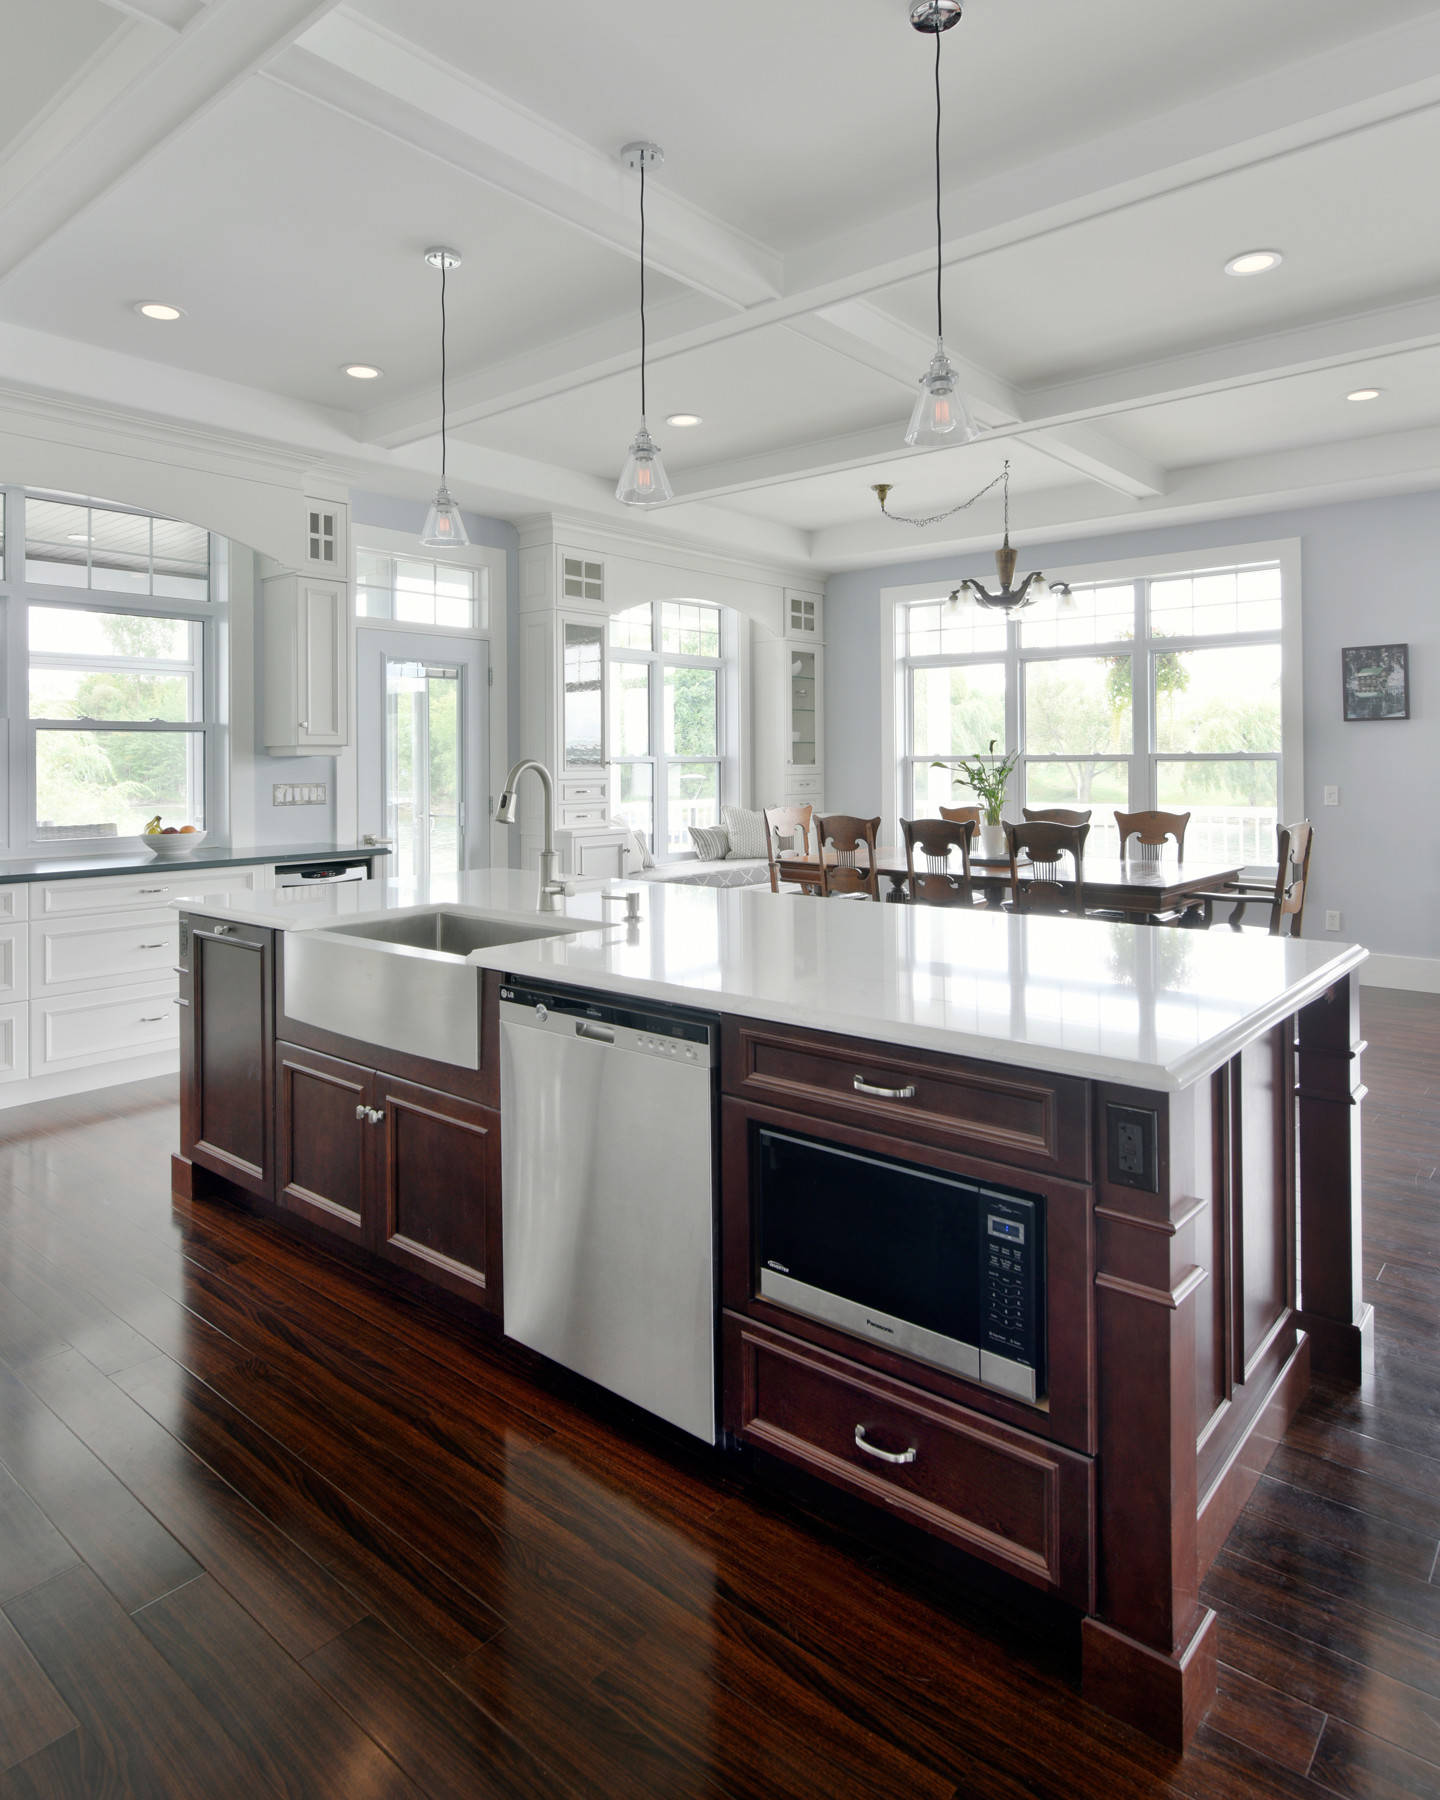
(985, 1110)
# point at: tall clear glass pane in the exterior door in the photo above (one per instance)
(424, 805)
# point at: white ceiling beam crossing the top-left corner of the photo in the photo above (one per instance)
(152, 87)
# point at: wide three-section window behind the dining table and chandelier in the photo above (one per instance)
(1156, 690)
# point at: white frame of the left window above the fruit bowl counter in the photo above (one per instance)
(19, 595)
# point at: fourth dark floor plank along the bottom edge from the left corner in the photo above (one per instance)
(436, 1734)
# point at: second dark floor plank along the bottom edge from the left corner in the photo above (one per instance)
(147, 1727)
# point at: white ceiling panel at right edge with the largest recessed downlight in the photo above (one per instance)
(1354, 219)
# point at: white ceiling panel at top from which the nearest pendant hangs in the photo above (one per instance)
(796, 121)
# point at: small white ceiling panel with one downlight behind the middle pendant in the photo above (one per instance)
(755, 393)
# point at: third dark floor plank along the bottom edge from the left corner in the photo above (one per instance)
(289, 1727)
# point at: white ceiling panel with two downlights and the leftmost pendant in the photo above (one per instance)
(294, 242)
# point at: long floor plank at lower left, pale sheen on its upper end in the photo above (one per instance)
(298, 1603)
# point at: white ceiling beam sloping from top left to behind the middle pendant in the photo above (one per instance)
(420, 100)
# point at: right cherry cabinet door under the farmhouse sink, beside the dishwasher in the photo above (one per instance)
(440, 1189)
